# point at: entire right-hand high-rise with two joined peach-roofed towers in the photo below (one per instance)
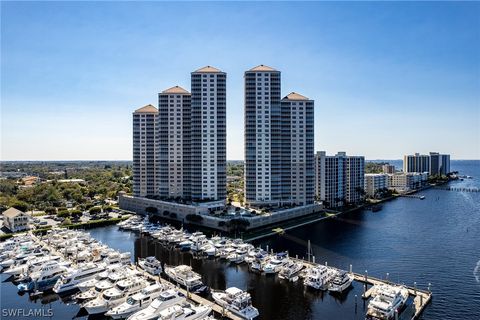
(279, 142)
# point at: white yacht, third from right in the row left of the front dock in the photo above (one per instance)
(136, 302)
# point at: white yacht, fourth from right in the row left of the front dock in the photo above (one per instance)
(113, 297)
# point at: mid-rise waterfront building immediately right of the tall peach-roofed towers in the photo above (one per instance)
(339, 179)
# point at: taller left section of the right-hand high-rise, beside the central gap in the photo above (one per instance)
(263, 156)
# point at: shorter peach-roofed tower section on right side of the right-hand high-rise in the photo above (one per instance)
(297, 119)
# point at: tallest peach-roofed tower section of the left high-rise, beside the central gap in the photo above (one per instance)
(208, 134)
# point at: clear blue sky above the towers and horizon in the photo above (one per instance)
(388, 78)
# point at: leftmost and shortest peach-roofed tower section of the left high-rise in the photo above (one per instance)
(145, 152)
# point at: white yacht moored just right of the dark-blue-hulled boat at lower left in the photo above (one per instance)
(70, 280)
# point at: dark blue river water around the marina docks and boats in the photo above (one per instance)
(436, 240)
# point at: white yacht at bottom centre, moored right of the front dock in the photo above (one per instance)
(237, 301)
